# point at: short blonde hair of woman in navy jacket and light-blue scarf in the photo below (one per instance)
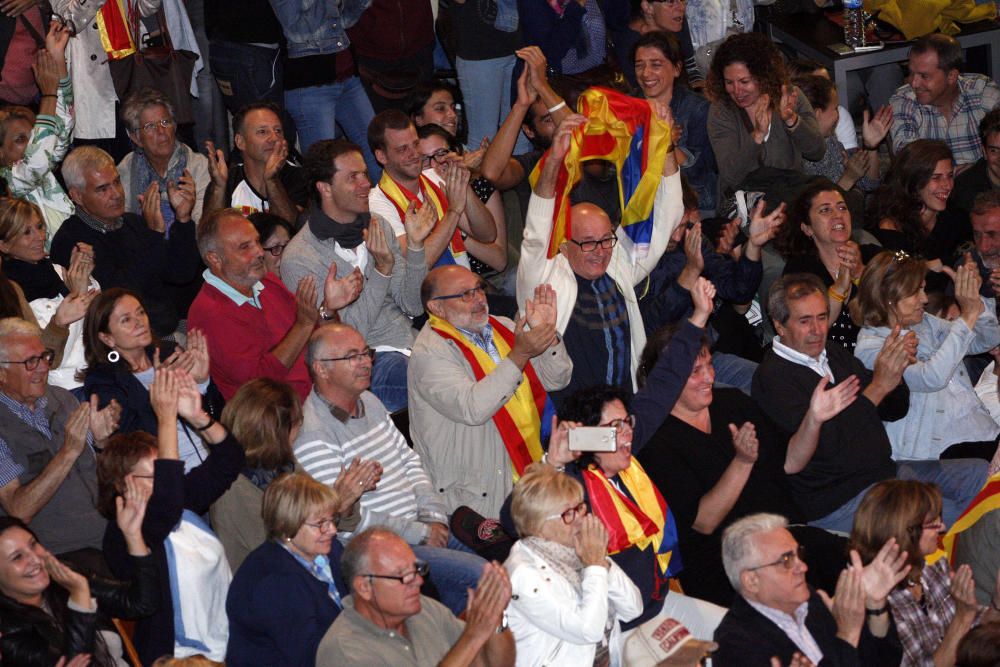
(290, 499)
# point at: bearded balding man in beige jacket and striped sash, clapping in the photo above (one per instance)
(477, 388)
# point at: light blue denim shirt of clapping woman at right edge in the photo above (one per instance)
(944, 407)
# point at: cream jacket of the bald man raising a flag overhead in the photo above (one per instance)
(535, 268)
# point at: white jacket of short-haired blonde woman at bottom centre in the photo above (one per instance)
(554, 625)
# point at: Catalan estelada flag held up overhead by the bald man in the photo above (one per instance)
(625, 131)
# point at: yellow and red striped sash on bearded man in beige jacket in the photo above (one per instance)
(519, 421)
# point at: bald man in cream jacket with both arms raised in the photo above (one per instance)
(594, 276)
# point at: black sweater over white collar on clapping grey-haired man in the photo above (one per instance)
(853, 451)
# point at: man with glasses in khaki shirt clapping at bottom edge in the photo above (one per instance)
(386, 621)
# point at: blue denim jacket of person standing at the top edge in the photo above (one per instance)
(317, 27)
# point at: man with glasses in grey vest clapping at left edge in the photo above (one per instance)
(48, 467)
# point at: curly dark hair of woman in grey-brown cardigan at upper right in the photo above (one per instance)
(760, 56)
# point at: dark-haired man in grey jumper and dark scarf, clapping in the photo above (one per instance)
(339, 230)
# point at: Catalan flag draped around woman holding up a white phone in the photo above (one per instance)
(644, 521)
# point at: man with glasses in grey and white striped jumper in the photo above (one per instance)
(344, 424)
